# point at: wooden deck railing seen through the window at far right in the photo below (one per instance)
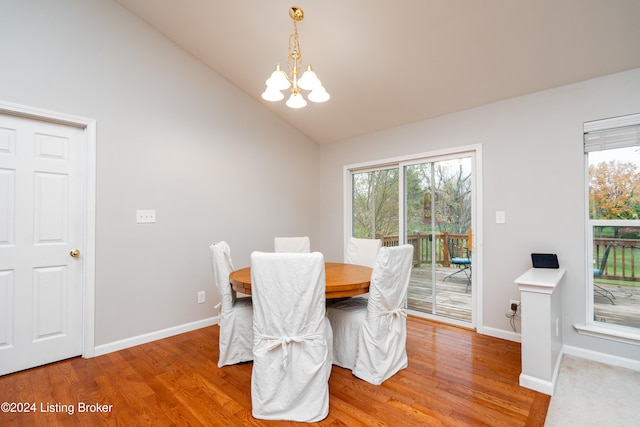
(623, 262)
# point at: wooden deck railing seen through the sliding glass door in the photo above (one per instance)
(422, 247)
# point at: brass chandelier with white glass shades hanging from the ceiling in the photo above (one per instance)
(280, 81)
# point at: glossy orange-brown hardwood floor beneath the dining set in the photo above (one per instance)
(455, 377)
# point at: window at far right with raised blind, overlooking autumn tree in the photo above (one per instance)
(612, 149)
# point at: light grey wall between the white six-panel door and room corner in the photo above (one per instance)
(171, 136)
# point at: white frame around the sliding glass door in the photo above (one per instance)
(477, 271)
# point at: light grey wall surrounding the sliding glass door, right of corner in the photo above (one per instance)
(533, 169)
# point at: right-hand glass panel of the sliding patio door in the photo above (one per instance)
(438, 218)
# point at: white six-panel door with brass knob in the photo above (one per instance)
(41, 225)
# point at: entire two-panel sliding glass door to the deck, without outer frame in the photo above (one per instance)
(428, 203)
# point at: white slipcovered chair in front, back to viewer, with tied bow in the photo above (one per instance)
(292, 337)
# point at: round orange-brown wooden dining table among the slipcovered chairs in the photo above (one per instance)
(343, 280)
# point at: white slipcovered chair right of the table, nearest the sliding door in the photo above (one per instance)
(369, 335)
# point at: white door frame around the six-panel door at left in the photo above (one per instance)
(88, 202)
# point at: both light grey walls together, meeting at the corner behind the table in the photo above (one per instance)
(175, 137)
